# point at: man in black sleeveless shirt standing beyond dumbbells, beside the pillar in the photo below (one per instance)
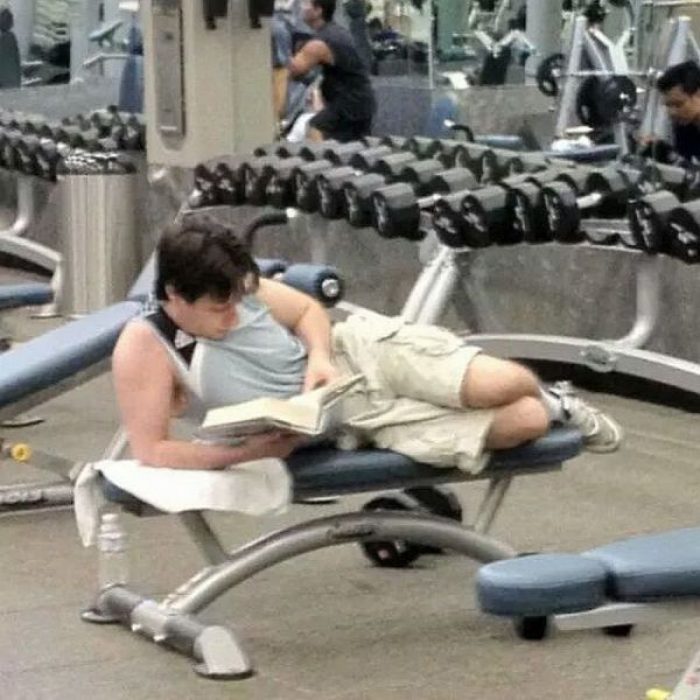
(346, 90)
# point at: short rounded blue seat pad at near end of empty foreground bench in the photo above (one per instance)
(541, 585)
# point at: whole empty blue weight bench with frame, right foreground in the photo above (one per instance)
(613, 587)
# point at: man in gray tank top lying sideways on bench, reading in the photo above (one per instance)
(220, 335)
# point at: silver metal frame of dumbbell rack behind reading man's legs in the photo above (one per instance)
(436, 287)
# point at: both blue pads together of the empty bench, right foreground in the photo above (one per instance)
(642, 568)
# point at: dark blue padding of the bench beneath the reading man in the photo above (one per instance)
(325, 470)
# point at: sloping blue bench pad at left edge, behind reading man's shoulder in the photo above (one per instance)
(56, 356)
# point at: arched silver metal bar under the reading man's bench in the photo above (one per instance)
(327, 532)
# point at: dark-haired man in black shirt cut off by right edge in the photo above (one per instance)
(680, 91)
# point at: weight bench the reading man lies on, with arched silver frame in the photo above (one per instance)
(318, 472)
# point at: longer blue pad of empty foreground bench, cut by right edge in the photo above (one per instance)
(652, 566)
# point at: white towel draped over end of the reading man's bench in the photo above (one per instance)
(259, 487)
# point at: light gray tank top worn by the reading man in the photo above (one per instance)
(259, 357)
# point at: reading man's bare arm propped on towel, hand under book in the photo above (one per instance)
(145, 385)
